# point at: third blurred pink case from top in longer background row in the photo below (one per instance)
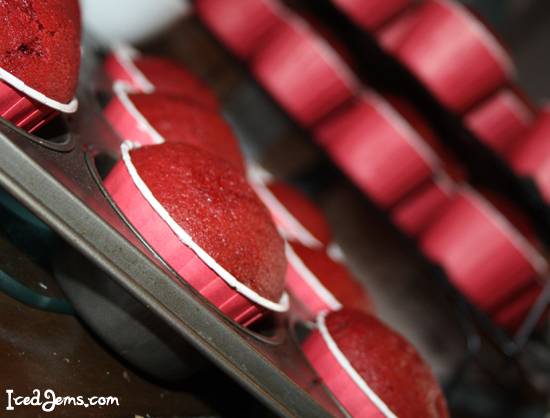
(377, 149)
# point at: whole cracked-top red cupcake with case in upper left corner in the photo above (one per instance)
(40, 64)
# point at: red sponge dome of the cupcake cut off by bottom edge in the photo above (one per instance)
(391, 366)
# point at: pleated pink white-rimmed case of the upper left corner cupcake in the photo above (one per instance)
(26, 107)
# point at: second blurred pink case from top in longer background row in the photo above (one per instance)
(303, 73)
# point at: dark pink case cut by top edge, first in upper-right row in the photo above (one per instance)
(373, 13)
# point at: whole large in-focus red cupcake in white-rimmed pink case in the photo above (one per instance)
(203, 219)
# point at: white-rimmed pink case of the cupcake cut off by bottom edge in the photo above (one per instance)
(340, 377)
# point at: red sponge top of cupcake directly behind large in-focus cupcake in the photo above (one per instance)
(178, 120)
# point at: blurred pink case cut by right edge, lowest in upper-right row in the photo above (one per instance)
(530, 156)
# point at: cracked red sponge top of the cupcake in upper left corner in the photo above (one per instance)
(40, 46)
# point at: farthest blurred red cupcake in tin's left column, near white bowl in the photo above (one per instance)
(146, 73)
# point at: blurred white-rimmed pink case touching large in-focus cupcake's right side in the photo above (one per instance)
(287, 224)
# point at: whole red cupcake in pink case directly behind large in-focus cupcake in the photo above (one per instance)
(150, 119)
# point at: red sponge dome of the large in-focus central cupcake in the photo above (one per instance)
(214, 204)
